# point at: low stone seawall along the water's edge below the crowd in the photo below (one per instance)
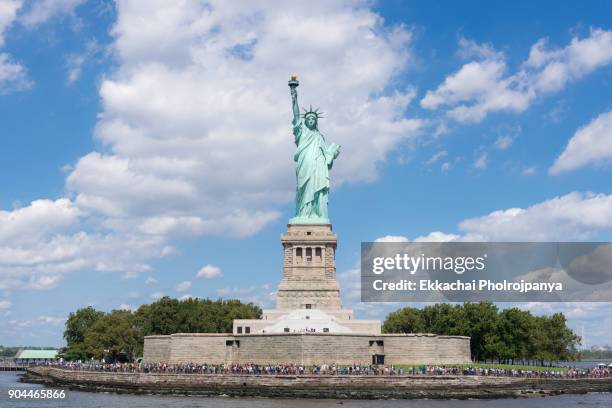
(316, 386)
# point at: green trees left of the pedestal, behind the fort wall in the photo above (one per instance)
(119, 335)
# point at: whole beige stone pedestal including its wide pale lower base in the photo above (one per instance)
(308, 296)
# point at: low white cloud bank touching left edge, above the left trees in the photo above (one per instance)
(42, 242)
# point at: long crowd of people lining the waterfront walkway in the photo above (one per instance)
(324, 369)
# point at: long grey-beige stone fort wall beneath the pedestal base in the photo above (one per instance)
(307, 348)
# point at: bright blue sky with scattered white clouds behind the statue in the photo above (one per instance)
(142, 144)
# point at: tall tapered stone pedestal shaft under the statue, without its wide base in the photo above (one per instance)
(309, 270)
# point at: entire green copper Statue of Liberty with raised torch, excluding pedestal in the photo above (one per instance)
(313, 161)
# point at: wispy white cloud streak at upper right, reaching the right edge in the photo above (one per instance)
(483, 86)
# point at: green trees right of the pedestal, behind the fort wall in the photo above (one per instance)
(506, 336)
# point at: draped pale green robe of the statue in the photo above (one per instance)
(313, 160)
